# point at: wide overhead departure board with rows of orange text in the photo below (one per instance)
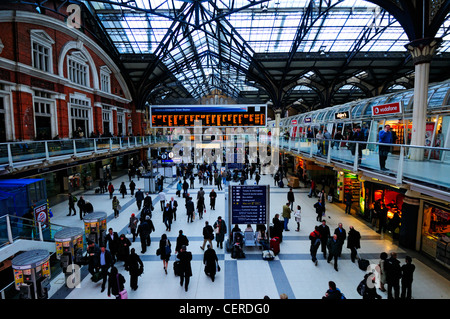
(210, 115)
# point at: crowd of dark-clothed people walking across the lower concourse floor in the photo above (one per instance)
(191, 200)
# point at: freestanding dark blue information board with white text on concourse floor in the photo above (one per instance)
(249, 204)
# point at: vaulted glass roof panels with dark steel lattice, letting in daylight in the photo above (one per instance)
(211, 44)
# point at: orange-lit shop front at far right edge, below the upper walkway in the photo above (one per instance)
(436, 232)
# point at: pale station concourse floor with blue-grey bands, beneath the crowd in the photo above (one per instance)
(291, 272)
